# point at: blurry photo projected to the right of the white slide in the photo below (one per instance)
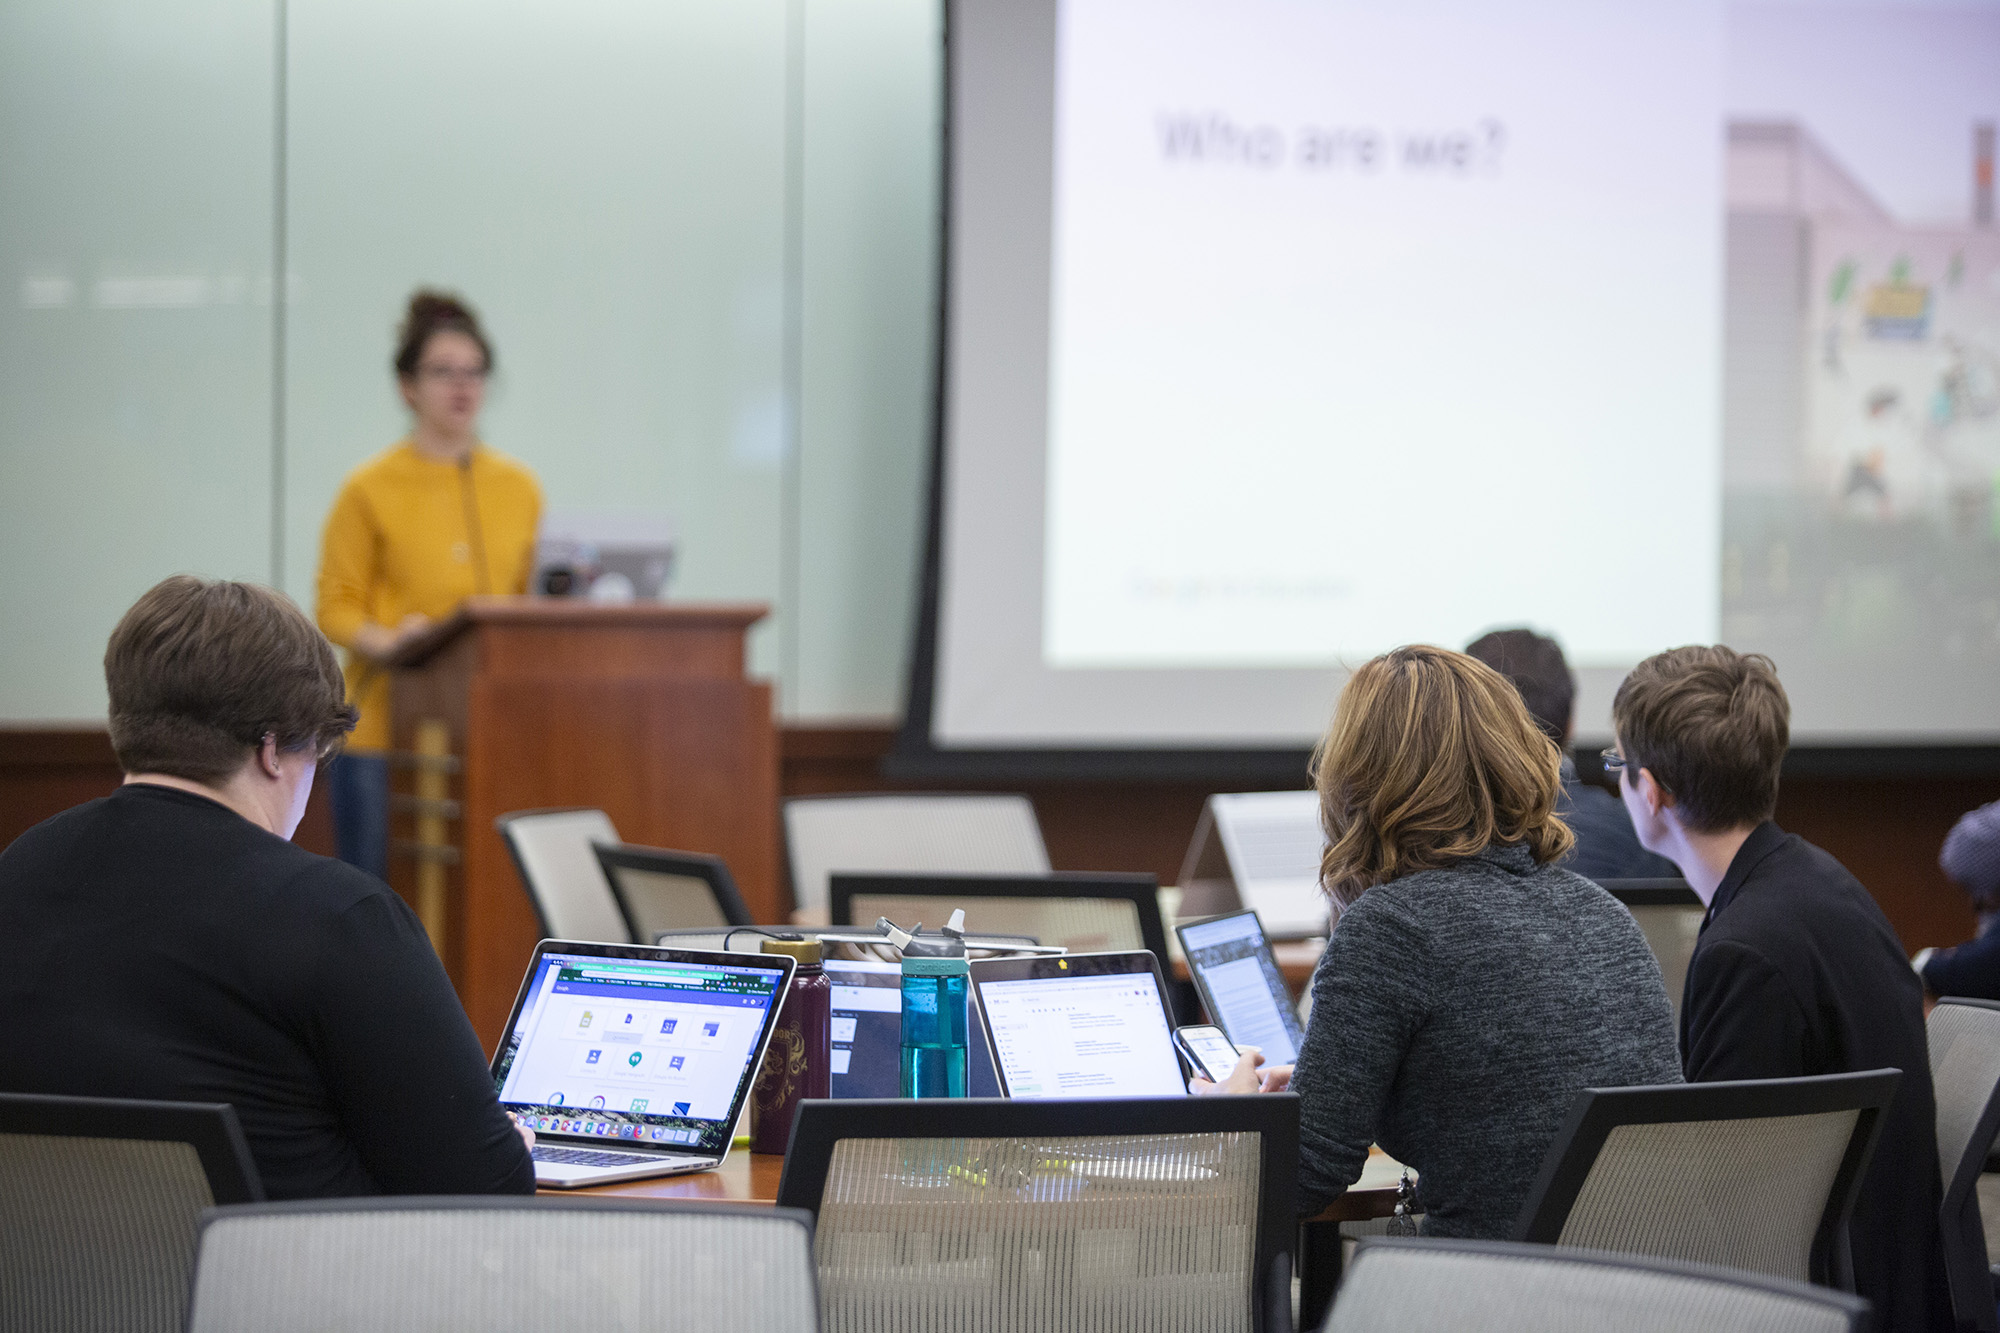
(1863, 415)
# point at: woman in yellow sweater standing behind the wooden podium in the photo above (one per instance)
(415, 531)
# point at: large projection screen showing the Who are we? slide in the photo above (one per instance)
(1279, 333)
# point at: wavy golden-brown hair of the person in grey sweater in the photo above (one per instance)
(1431, 758)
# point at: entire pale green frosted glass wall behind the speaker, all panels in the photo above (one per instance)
(607, 183)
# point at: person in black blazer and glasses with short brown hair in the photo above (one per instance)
(1797, 972)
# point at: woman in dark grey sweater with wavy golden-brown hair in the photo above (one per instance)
(1471, 986)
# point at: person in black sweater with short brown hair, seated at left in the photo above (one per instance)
(171, 942)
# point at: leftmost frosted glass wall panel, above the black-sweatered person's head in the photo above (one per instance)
(135, 321)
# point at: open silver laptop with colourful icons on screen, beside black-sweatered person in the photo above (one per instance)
(633, 1062)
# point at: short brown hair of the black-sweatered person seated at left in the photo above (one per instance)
(201, 674)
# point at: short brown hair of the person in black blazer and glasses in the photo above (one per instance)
(1713, 728)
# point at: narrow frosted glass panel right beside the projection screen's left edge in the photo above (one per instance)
(873, 101)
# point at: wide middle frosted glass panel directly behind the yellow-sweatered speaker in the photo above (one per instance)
(607, 185)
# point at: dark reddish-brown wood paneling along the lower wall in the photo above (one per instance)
(1883, 830)
